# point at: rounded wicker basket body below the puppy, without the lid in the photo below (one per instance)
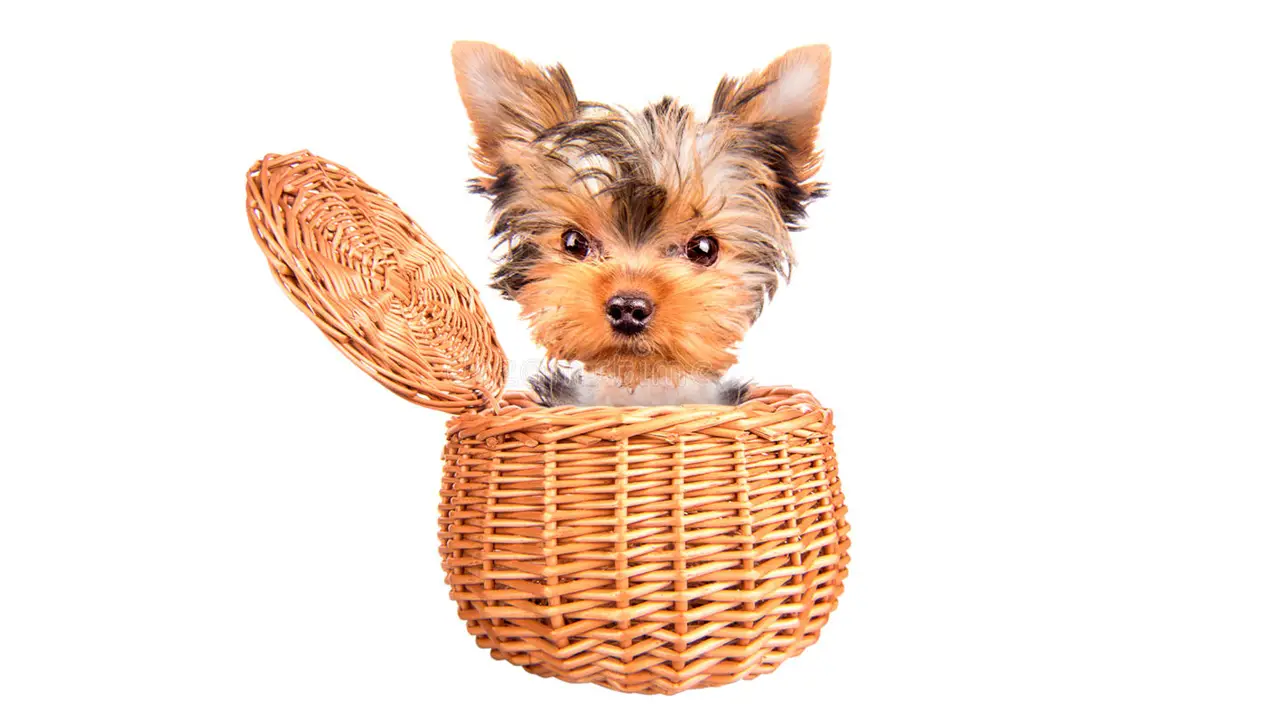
(648, 550)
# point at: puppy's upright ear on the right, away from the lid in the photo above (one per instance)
(788, 95)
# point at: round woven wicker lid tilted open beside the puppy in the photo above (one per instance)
(376, 284)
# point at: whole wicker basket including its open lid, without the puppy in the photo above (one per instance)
(648, 550)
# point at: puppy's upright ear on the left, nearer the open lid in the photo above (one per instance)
(509, 101)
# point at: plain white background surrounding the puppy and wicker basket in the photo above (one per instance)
(1043, 299)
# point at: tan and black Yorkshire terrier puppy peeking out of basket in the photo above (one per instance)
(642, 247)
